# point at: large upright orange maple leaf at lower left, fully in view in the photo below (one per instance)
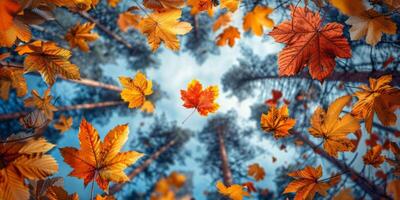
(100, 161)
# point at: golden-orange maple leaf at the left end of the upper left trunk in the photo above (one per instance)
(49, 60)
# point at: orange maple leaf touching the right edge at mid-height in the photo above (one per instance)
(380, 98)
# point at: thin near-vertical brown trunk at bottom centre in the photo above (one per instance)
(226, 171)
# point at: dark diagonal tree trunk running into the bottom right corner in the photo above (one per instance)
(373, 190)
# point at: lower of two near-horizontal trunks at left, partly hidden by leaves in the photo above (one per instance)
(85, 106)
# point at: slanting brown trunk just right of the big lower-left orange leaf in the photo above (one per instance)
(117, 187)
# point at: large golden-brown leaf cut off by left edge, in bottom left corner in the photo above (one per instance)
(23, 159)
